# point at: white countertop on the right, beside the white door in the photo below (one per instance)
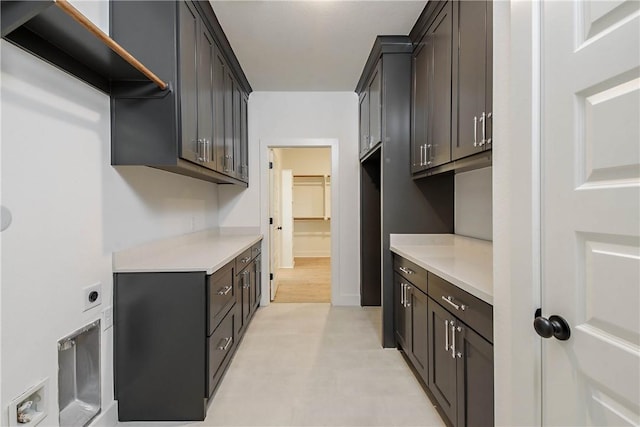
(463, 261)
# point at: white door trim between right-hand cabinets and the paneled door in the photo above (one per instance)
(516, 211)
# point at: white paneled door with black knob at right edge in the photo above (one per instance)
(590, 211)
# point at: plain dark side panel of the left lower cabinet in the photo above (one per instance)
(159, 346)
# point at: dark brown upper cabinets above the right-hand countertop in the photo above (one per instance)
(451, 87)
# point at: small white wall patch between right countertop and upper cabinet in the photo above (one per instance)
(473, 204)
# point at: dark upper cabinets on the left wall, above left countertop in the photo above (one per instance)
(195, 128)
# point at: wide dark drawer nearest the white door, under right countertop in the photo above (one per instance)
(476, 313)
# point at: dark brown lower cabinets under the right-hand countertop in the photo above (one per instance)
(449, 345)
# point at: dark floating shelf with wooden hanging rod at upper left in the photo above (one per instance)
(56, 32)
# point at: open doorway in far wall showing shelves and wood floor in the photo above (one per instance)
(300, 224)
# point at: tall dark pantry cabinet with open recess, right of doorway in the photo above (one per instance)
(390, 200)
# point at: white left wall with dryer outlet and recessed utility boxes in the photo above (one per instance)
(70, 209)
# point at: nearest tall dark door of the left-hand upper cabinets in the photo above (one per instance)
(189, 25)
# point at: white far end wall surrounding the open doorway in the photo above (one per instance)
(291, 115)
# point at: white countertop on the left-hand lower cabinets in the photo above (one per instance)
(207, 250)
